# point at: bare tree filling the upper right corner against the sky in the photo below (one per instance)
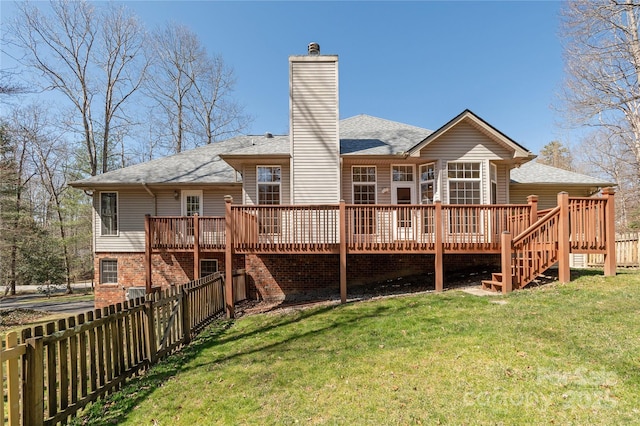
(602, 53)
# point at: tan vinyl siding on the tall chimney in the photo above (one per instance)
(314, 130)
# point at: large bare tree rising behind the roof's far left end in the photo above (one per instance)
(92, 58)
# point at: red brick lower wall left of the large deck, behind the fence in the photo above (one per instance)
(168, 269)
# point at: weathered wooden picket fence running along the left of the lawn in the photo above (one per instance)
(56, 369)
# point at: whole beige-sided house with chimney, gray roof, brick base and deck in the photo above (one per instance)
(385, 198)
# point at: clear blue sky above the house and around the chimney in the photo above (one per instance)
(419, 63)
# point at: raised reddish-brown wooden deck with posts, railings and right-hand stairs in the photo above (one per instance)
(536, 239)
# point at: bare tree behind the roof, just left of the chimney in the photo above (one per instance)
(192, 90)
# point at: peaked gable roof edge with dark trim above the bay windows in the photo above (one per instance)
(519, 152)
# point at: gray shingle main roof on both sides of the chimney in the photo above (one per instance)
(359, 135)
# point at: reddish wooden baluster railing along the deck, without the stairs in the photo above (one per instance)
(368, 228)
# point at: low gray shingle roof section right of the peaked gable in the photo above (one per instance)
(534, 173)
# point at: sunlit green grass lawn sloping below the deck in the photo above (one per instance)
(562, 354)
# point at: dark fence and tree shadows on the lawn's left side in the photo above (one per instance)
(116, 407)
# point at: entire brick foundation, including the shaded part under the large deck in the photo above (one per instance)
(277, 277)
